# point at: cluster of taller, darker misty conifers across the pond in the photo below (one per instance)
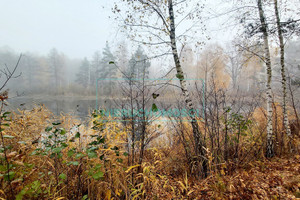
(108, 69)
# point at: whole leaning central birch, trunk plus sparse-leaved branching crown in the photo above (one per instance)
(157, 19)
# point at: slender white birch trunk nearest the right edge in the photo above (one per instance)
(283, 76)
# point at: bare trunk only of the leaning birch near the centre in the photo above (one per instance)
(199, 142)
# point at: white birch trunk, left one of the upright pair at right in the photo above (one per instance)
(264, 29)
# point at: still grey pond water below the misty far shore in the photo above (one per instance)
(80, 107)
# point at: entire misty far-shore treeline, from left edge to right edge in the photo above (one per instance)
(56, 74)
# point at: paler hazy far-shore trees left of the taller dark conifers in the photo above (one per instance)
(38, 74)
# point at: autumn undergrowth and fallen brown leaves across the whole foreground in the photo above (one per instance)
(48, 157)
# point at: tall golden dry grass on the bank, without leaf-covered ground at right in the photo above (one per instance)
(60, 157)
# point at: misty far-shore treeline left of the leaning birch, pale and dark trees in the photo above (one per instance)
(56, 74)
